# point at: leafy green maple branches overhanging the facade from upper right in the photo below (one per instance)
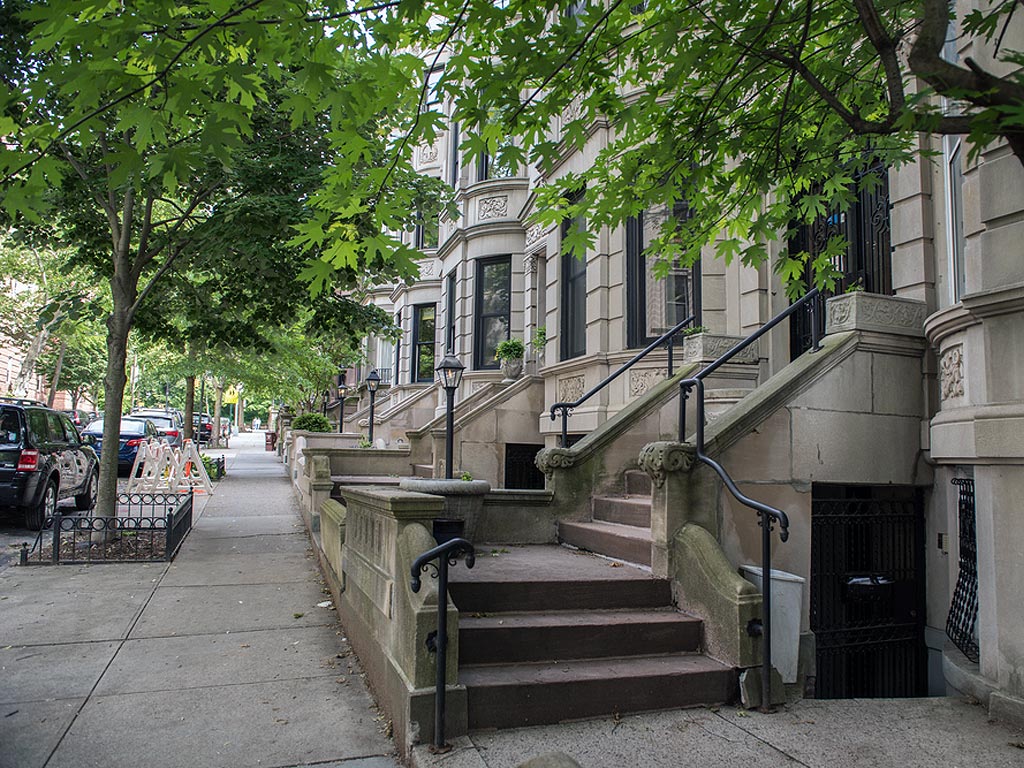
(761, 115)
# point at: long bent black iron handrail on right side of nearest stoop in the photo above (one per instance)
(767, 516)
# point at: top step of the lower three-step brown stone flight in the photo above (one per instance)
(500, 596)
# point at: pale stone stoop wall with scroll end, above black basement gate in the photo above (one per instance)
(849, 414)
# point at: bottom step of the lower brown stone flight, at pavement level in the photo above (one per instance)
(514, 696)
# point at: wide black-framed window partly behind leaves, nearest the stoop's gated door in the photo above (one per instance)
(657, 305)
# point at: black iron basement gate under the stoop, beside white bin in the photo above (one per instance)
(868, 596)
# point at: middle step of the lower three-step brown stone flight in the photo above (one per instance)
(507, 638)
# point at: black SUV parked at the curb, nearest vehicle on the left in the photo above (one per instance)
(44, 460)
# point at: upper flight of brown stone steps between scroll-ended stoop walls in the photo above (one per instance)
(621, 525)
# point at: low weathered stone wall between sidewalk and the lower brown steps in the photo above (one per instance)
(369, 546)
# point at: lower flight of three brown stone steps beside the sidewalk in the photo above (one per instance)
(586, 639)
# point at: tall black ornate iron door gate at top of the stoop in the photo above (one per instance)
(867, 264)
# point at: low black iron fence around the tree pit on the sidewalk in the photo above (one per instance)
(130, 537)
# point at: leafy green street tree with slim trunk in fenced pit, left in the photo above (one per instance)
(130, 118)
